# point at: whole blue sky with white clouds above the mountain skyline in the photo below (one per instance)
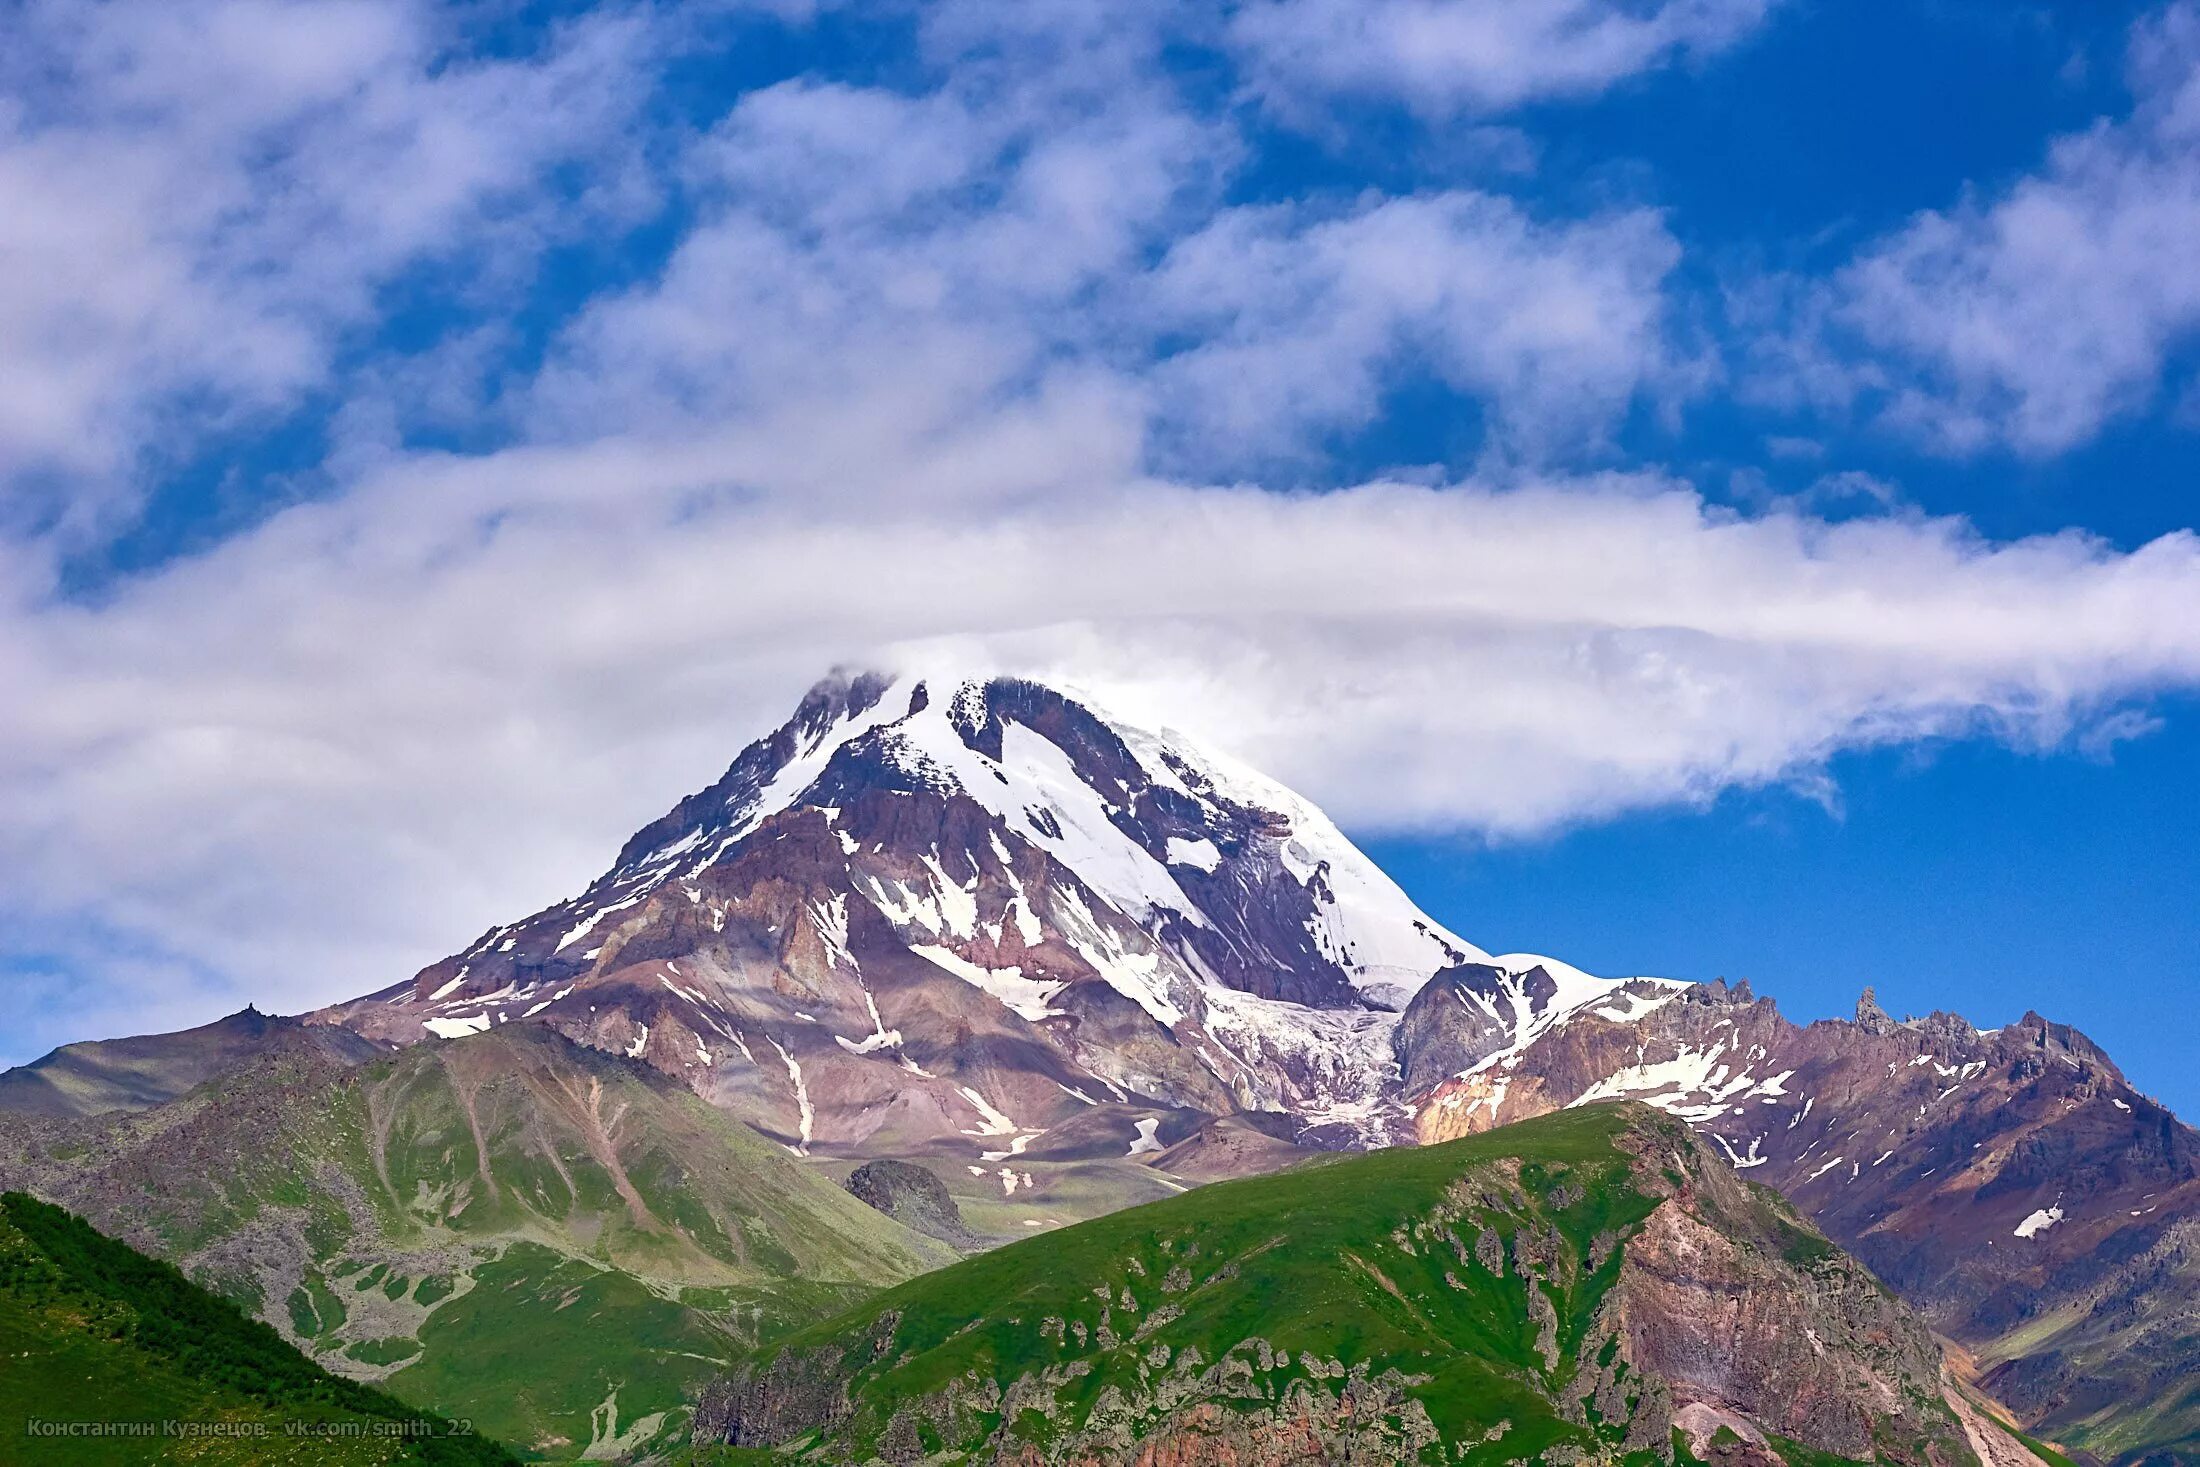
(1699, 485)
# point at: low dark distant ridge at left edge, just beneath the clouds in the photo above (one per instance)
(131, 1074)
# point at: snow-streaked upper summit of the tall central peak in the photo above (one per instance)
(1134, 815)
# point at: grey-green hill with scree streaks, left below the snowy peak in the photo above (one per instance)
(544, 1239)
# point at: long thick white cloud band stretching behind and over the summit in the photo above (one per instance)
(351, 740)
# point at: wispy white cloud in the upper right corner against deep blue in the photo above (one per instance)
(2034, 316)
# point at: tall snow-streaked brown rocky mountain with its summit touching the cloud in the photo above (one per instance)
(960, 916)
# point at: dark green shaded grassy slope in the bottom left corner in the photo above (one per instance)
(93, 1332)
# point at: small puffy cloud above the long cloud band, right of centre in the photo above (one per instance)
(1301, 324)
